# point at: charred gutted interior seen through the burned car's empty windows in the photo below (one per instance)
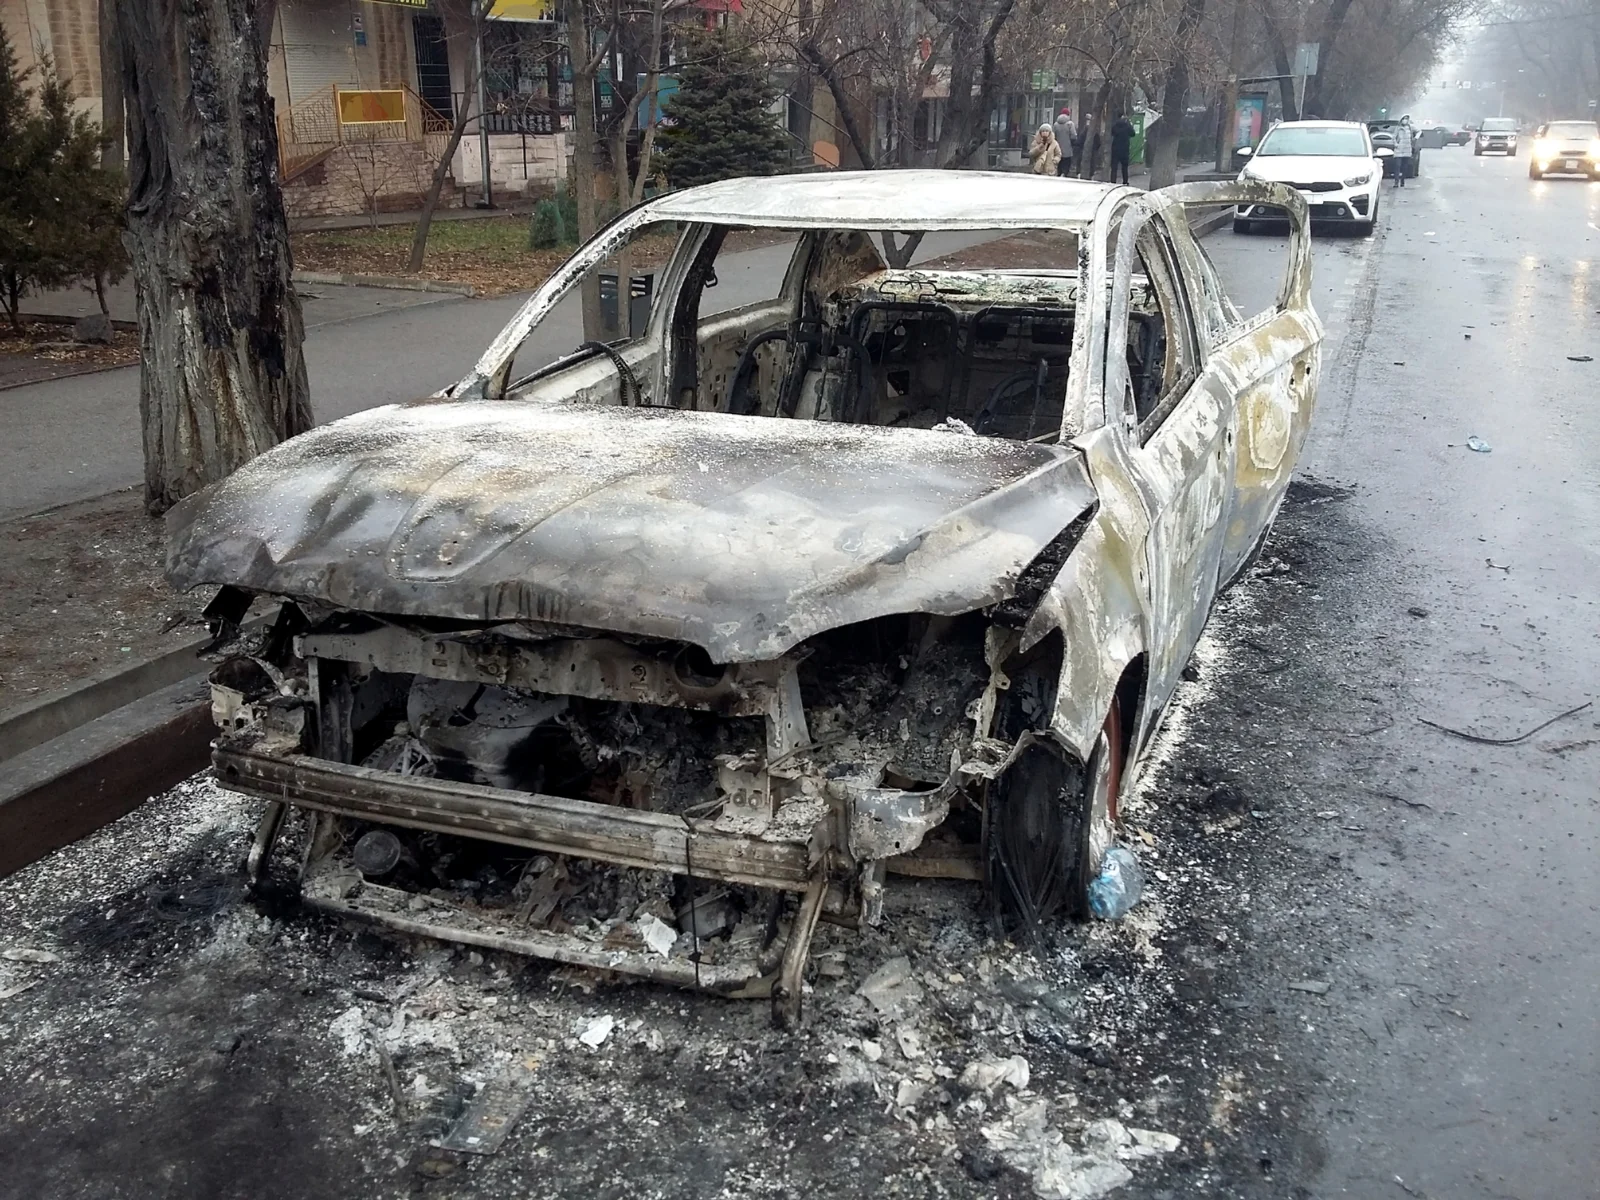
(855, 342)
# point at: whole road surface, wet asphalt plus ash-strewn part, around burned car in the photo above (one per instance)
(1367, 966)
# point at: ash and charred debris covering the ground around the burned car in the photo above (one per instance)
(175, 1039)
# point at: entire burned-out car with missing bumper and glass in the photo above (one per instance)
(657, 655)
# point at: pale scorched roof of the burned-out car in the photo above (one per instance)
(890, 201)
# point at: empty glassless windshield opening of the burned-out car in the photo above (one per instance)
(974, 335)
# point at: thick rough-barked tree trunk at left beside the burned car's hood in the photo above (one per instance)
(220, 324)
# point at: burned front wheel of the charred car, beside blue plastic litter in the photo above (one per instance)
(1052, 822)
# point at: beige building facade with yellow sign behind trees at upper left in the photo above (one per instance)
(367, 94)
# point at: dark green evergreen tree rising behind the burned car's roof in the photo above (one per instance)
(721, 116)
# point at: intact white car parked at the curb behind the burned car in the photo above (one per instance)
(1332, 164)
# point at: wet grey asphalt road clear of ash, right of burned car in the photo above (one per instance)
(1479, 294)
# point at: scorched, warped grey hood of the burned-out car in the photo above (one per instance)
(742, 535)
